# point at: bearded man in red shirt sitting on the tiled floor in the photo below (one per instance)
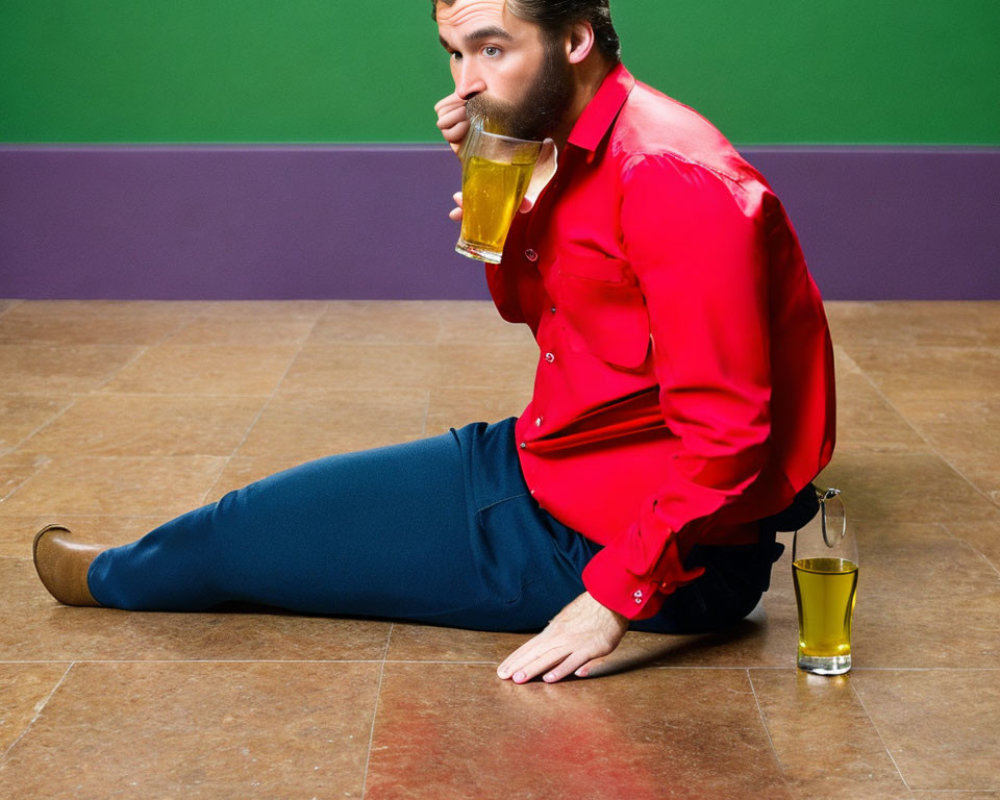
(684, 396)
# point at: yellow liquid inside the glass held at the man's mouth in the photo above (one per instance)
(491, 194)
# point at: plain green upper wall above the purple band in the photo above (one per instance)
(770, 72)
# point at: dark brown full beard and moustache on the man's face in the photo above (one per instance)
(540, 111)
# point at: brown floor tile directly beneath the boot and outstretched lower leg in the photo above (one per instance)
(34, 627)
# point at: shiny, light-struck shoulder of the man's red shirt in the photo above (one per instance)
(653, 124)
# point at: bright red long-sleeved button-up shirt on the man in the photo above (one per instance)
(684, 388)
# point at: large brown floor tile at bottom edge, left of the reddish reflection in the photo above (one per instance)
(199, 731)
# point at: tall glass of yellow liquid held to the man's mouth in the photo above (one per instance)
(496, 171)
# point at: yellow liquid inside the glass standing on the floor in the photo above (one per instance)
(825, 589)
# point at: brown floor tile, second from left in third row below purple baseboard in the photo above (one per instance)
(134, 425)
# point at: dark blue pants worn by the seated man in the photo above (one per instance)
(441, 531)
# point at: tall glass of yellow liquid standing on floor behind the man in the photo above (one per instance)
(825, 572)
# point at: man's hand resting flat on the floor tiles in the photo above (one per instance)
(578, 635)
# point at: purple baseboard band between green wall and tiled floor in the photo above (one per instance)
(227, 222)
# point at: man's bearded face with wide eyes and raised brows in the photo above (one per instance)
(513, 77)
